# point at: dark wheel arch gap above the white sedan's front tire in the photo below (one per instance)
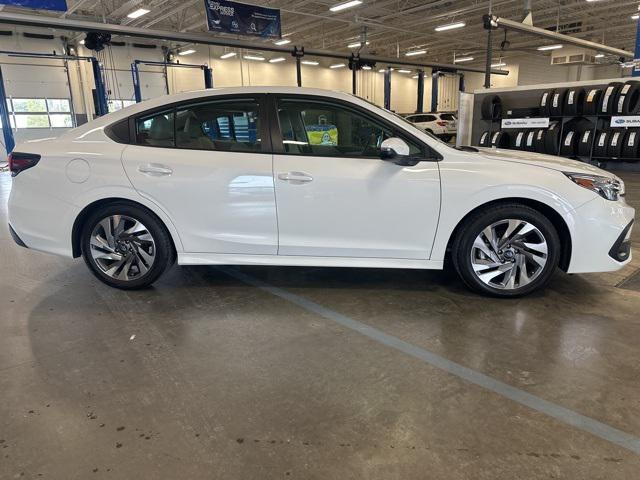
(554, 217)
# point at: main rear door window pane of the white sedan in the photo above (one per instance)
(226, 125)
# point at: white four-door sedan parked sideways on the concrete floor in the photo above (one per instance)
(294, 176)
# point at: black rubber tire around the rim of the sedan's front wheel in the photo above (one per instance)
(463, 242)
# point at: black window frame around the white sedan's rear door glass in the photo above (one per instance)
(174, 107)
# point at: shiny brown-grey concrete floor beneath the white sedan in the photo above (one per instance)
(206, 376)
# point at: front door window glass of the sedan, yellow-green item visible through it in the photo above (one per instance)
(317, 128)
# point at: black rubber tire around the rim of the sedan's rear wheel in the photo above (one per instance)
(164, 251)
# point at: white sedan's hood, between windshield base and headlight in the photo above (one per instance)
(560, 164)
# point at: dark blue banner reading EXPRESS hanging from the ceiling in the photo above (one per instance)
(242, 19)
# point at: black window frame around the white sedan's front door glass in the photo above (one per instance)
(276, 133)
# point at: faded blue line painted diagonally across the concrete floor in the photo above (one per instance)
(565, 415)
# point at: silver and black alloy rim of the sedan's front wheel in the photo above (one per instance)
(509, 254)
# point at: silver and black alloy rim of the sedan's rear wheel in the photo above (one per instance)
(122, 247)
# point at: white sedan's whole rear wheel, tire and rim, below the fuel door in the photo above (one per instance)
(125, 246)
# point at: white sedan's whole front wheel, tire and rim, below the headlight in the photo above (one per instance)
(506, 250)
